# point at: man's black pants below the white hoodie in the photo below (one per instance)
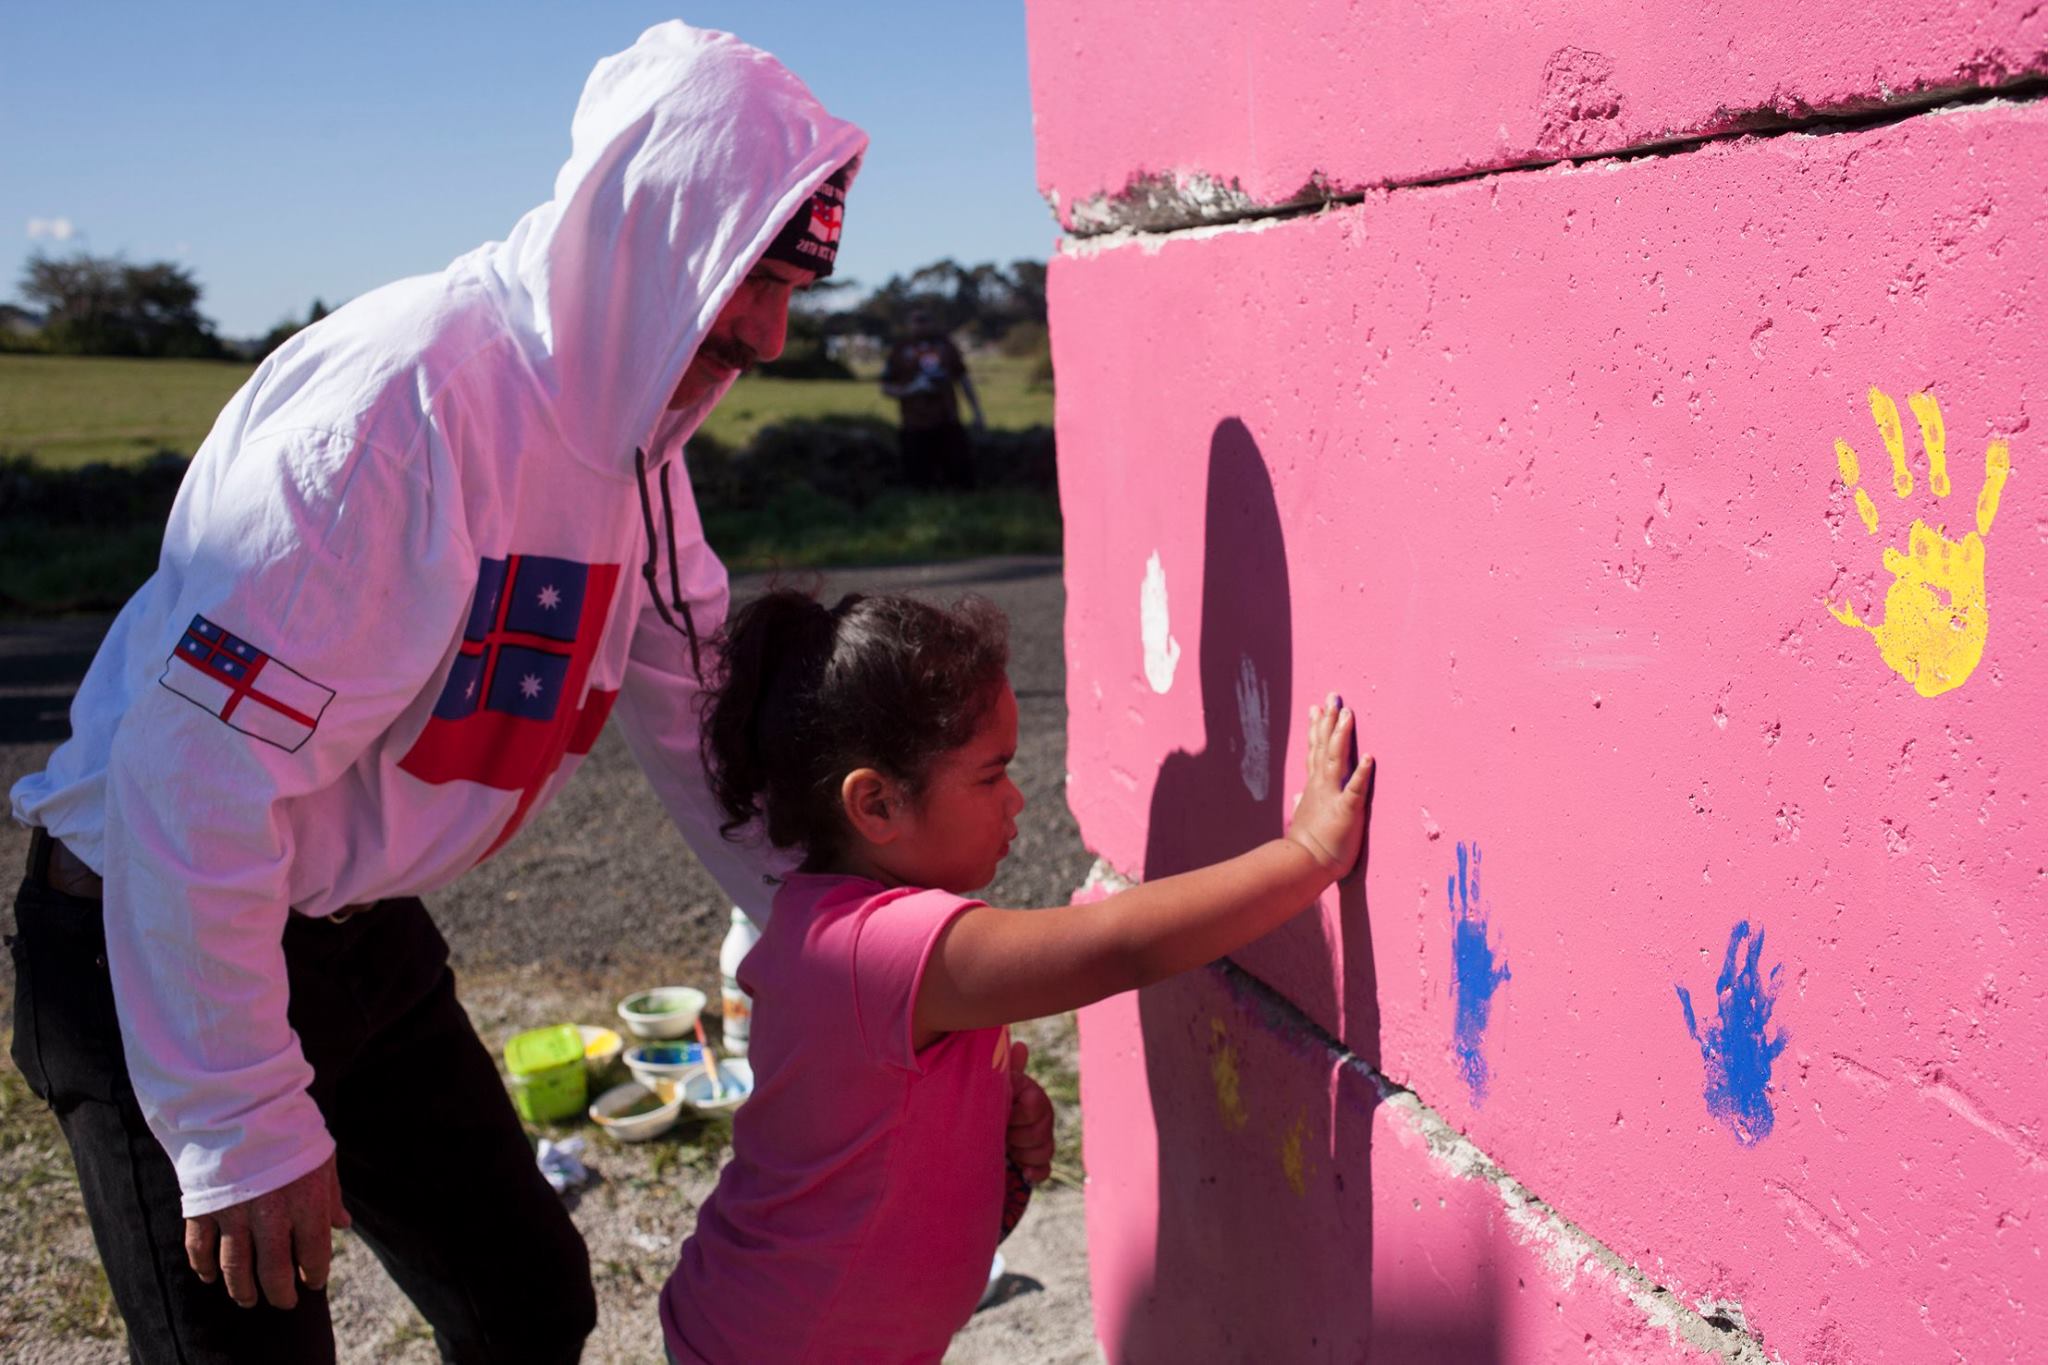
(435, 1168)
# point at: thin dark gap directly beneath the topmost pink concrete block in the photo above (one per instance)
(2029, 91)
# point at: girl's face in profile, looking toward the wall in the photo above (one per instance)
(968, 818)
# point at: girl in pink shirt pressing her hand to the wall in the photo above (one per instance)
(867, 1188)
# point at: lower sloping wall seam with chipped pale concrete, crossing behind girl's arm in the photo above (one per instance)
(1713, 1327)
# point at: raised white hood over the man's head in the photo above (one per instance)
(689, 152)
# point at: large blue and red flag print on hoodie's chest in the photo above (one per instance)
(515, 701)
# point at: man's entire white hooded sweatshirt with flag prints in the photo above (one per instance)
(337, 527)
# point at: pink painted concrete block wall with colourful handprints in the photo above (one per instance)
(1568, 480)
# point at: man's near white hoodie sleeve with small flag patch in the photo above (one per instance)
(325, 562)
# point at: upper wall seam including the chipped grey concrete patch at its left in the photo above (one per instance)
(1191, 206)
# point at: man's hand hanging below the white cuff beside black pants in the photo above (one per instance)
(273, 1241)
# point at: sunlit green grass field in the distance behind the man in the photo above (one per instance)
(75, 410)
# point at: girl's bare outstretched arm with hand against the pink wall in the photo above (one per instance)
(1000, 967)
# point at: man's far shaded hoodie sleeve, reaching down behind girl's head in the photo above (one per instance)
(658, 715)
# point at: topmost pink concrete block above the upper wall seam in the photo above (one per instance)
(1164, 114)
